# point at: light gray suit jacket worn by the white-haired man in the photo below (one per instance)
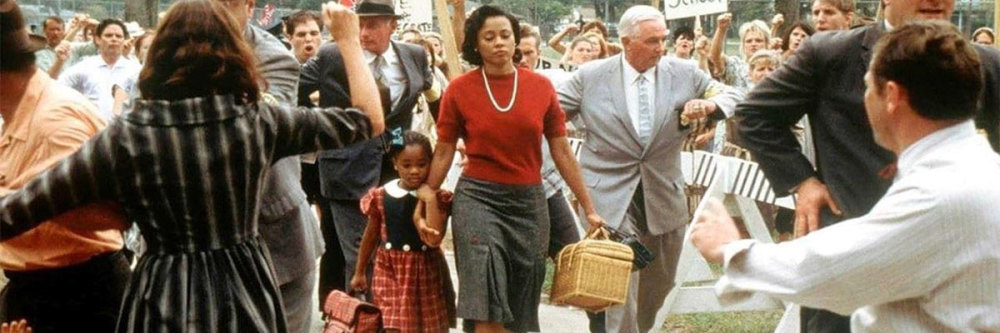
(614, 161)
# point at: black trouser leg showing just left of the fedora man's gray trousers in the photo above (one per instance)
(331, 264)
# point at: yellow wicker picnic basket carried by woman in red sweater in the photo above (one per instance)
(592, 274)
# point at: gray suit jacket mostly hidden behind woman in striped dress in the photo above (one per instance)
(287, 224)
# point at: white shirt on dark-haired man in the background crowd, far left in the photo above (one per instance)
(93, 77)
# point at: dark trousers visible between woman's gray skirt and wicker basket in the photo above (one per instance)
(563, 232)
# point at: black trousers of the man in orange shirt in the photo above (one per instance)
(83, 297)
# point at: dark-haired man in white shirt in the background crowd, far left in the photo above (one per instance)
(95, 76)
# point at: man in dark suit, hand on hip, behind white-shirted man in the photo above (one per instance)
(825, 79)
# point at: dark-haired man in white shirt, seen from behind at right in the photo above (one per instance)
(925, 258)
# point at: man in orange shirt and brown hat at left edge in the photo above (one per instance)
(78, 283)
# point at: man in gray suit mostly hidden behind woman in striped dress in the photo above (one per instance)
(288, 225)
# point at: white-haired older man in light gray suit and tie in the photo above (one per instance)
(630, 105)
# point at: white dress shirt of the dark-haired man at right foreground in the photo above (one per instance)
(925, 259)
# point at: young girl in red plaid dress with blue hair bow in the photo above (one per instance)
(406, 222)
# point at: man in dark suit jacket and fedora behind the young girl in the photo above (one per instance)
(402, 73)
